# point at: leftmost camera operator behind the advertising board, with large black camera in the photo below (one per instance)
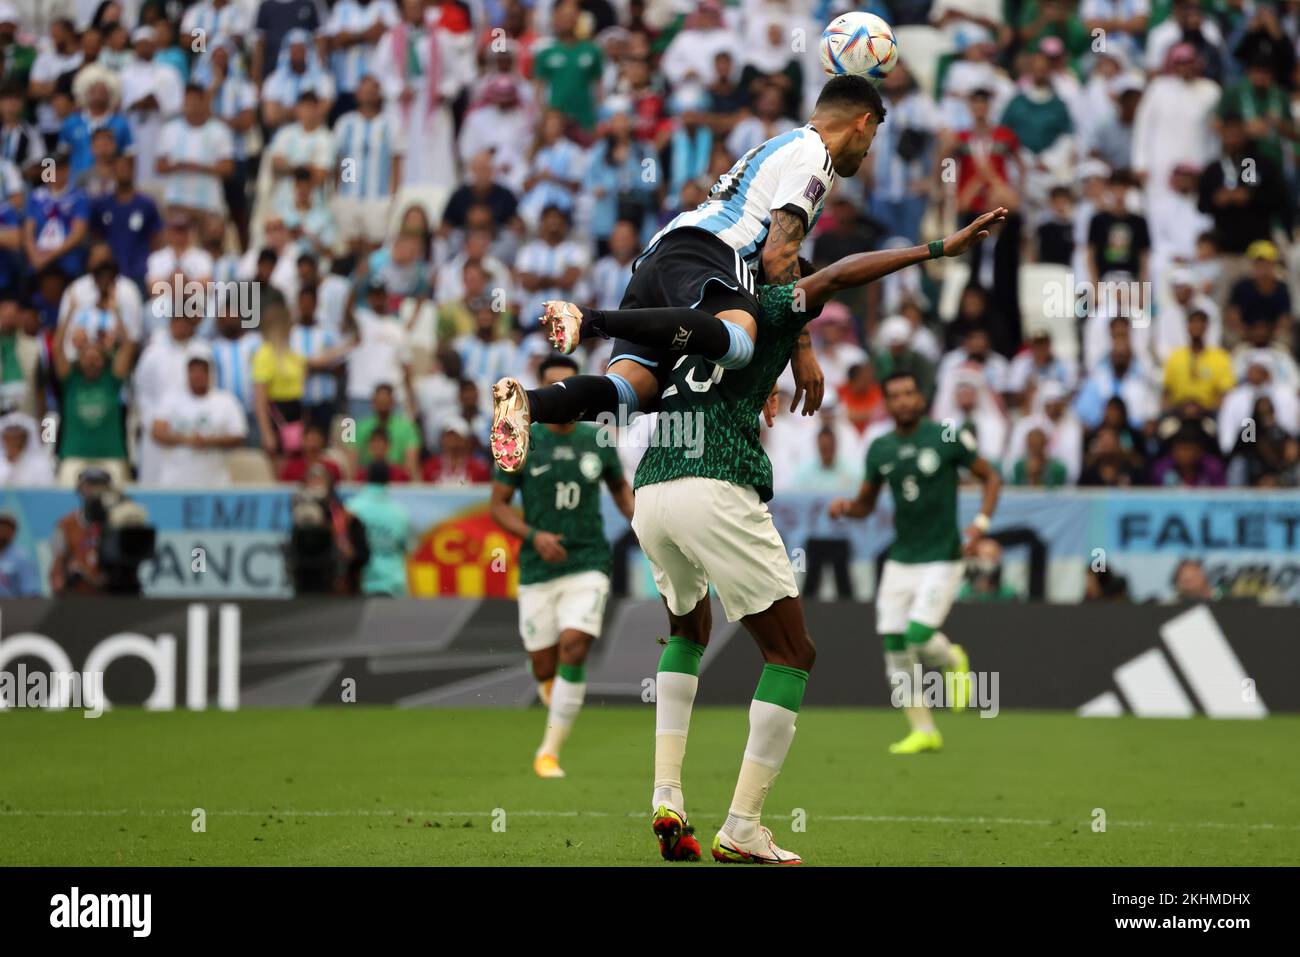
(99, 548)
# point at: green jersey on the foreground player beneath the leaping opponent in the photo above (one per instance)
(708, 425)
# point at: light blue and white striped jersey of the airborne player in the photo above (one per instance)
(788, 172)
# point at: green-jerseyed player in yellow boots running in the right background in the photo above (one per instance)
(921, 461)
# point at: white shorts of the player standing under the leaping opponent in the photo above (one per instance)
(703, 531)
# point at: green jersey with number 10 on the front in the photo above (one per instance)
(561, 492)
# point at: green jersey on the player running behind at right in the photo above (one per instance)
(922, 474)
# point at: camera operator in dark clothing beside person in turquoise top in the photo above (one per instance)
(327, 549)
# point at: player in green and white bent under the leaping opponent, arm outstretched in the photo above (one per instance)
(701, 518)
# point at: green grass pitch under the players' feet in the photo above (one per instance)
(354, 786)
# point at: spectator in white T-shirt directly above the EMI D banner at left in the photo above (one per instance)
(197, 426)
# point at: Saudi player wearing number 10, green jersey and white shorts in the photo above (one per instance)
(565, 561)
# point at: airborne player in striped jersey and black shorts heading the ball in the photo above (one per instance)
(709, 259)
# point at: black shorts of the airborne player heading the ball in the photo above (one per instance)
(694, 269)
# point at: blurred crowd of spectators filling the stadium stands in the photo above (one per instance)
(245, 241)
